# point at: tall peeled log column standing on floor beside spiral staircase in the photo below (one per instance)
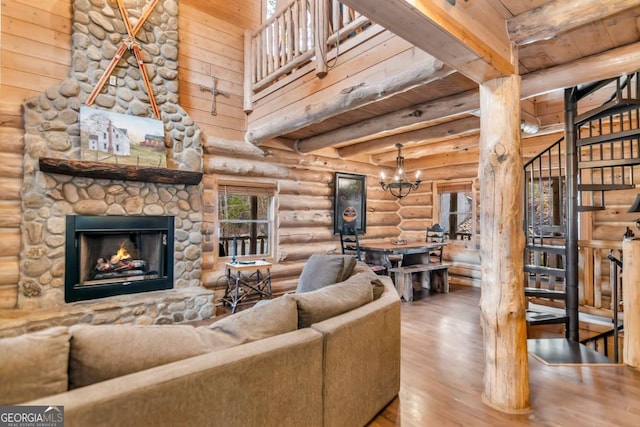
(502, 305)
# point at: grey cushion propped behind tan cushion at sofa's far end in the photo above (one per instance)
(322, 270)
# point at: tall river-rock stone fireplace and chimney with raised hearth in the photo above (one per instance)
(52, 131)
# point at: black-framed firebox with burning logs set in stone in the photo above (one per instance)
(114, 255)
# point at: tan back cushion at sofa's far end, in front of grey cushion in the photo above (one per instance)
(332, 300)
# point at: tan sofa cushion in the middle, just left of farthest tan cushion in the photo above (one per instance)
(270, 318)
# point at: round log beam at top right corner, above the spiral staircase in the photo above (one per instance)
(550, 19)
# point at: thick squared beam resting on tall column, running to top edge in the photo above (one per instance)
(469, 37)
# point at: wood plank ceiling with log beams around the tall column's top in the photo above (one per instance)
(560, 43)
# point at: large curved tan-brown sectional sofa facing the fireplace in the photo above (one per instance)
(339, 371)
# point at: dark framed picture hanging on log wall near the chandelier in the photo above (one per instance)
(350, 203)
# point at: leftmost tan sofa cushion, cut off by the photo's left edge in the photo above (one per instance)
(34, 365)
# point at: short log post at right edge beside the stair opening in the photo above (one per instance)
(631, 292)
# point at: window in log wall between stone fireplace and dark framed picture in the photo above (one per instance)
(246, 213)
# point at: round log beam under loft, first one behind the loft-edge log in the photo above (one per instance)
(398, 120)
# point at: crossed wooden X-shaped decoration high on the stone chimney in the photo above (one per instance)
(131, 44)
